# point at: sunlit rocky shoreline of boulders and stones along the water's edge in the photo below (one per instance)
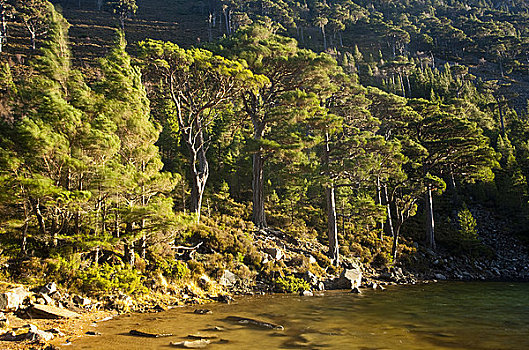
(43, 317)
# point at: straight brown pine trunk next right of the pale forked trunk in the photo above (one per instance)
(259, 215)
